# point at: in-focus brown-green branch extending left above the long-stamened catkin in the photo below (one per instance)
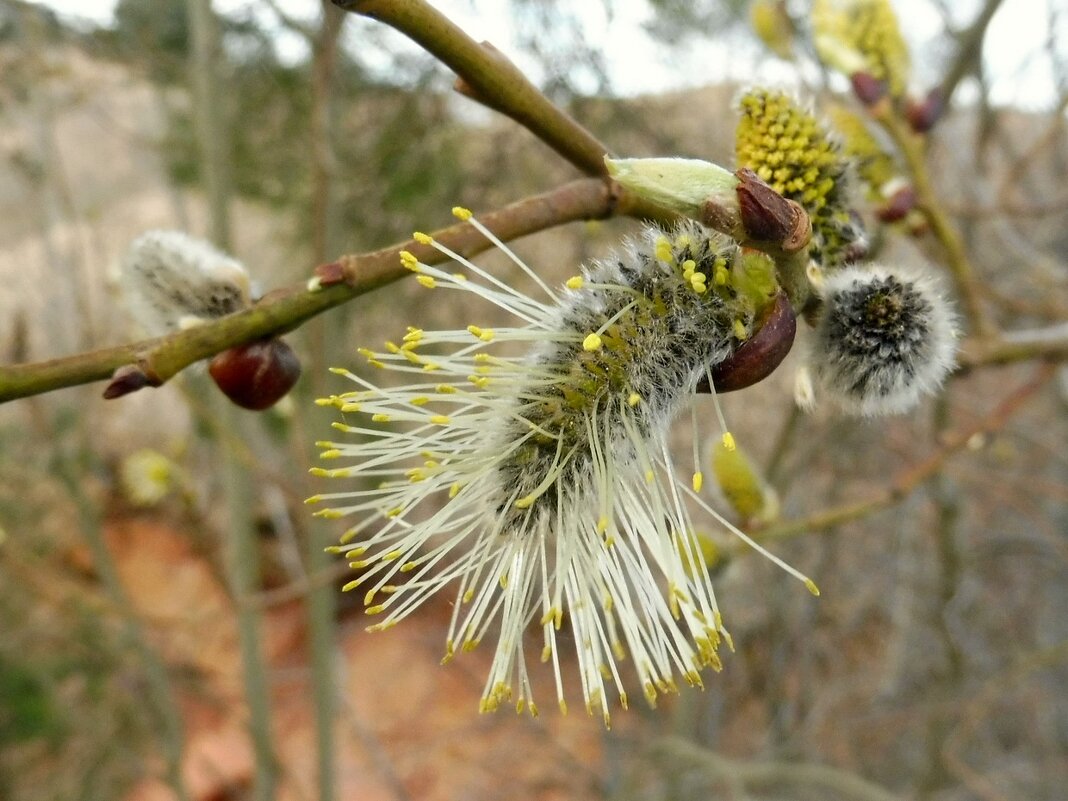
(161, 359)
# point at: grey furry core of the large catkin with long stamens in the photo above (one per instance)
(678, 348)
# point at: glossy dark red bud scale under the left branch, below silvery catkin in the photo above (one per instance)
(257, 375)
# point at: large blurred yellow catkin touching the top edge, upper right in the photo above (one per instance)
(862, 36)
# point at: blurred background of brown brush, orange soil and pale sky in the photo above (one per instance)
(170, 627)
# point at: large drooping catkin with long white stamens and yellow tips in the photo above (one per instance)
(544, 483)
